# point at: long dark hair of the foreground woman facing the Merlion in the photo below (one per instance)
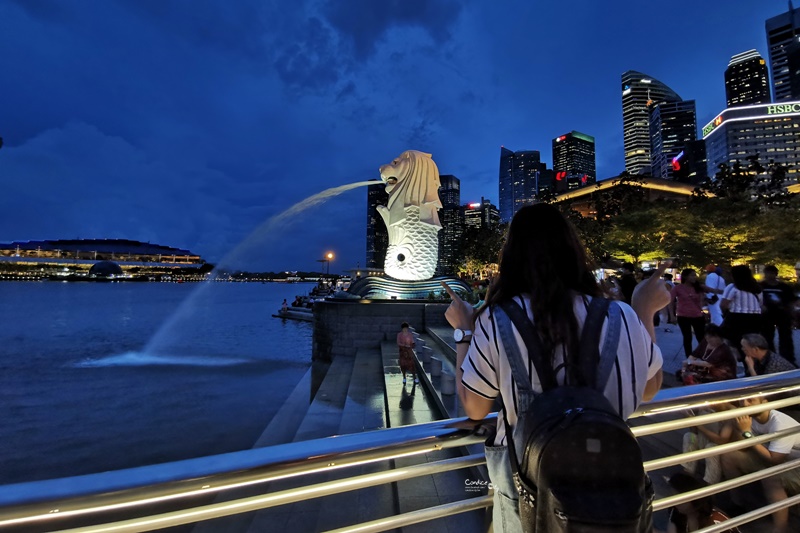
(544, 257)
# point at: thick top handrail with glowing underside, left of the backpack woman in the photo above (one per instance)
(205, 475)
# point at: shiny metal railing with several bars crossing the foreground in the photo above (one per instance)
(184, 492)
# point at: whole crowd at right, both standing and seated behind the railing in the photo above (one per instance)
(725, 318)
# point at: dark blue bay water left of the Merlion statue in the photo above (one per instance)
(78, 393)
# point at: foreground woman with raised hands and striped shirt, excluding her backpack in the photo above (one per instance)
(545, 270)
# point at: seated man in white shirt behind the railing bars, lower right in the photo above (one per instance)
(761, 456)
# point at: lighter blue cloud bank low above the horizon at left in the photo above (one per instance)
(77, 181)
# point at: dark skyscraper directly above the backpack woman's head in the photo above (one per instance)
(519, 174)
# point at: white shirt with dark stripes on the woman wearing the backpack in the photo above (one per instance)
(488, 373)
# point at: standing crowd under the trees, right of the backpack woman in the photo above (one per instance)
(729, 315)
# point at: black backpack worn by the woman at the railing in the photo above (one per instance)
(580, 469)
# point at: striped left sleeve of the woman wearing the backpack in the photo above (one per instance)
(480, 364)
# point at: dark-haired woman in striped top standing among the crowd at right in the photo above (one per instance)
(742, 303)
